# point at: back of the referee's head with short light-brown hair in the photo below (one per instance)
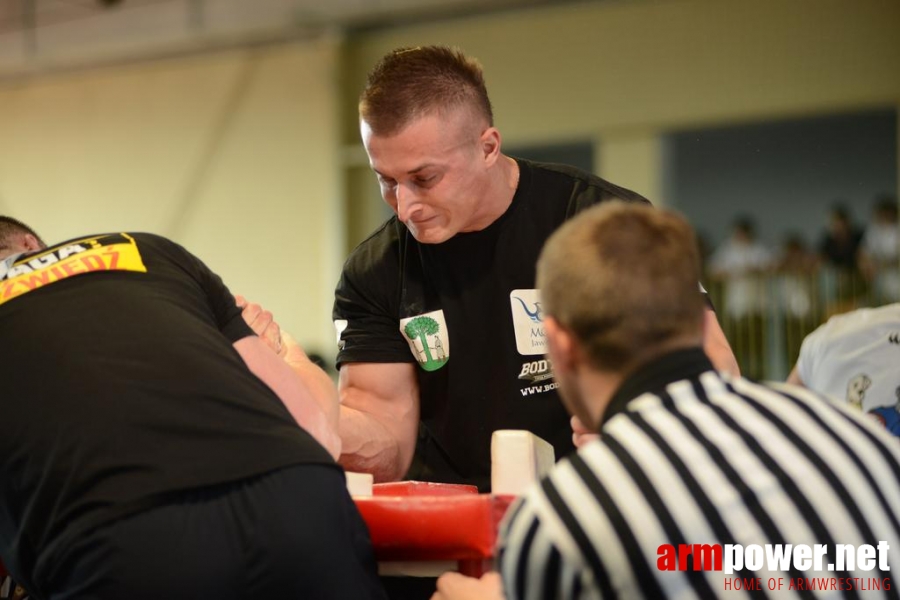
(624, 279)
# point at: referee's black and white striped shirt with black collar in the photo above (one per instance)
(691, 456)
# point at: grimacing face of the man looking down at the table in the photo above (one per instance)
(432, 174)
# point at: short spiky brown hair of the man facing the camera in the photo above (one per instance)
(410, 83)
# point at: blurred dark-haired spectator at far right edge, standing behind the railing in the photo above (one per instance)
(879, 251)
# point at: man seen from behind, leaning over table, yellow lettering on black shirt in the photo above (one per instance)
(152, 447)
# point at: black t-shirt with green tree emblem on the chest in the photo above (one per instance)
(472, 300)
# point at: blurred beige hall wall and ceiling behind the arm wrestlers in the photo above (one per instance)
(231, 126)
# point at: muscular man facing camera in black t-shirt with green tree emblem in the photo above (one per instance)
(439, 322)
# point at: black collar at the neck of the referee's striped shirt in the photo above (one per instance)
(656, 375)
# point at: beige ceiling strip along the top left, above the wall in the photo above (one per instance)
(40, 34)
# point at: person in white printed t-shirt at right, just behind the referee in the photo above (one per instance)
(853, 359)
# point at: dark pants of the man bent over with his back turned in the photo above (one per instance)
(293, 533)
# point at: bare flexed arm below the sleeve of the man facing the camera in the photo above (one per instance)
(379, 418)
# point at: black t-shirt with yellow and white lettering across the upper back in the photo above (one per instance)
(120, 385)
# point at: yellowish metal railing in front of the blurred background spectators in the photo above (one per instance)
(766, 316)
